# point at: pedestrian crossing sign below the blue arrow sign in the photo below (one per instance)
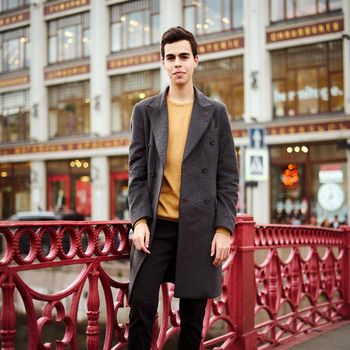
(256, 164)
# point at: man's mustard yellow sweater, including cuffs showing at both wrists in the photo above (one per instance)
(179, 116)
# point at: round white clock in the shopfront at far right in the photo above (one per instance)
(330, 196)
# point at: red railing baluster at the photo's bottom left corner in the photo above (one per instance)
(8, 314)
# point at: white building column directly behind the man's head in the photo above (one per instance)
(170, 13)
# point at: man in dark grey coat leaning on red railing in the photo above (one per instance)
(183, 184)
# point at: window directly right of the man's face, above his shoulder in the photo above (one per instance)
(222, 80)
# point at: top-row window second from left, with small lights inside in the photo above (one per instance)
(69, 38)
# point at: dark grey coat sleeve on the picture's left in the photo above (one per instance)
(139, 201)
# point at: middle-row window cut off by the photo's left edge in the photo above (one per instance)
(14, 116)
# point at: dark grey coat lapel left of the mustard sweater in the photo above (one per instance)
(158, 113)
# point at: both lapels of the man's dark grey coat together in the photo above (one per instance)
(203, 109)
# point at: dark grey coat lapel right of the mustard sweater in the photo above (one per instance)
(202, 112)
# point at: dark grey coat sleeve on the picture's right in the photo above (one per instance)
(227, 175)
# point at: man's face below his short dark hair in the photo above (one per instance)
(179, 62)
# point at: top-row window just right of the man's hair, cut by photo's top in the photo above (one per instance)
(210, 16)
